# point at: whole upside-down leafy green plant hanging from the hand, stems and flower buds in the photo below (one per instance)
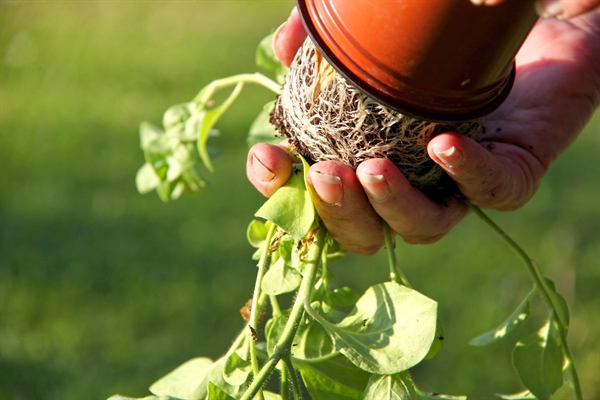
(343, 344)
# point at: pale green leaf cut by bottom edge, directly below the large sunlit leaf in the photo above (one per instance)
(390, 387)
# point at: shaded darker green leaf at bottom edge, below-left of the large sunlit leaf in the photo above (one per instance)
(333, 379)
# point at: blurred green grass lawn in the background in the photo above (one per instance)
(102, 290)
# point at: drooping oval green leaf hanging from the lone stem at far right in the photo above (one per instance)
(538, 360)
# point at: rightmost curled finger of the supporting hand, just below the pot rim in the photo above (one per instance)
(493, 175)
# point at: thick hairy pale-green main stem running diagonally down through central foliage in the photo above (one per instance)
(284, 344)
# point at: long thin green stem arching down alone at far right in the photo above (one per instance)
(542, 286)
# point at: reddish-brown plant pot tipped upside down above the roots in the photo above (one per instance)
(443, 60)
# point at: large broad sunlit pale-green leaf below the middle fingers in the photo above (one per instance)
(390, 329)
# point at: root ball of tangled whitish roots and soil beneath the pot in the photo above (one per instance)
(326, 118)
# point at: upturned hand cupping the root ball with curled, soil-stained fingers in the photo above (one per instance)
(556, 91)
